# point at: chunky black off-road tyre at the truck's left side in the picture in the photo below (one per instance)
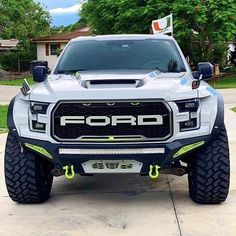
(28, 178)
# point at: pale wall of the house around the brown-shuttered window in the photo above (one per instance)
(41, 54)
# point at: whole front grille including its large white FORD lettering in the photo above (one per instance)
(74, 121)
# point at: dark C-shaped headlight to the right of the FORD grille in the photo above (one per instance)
(191, 106)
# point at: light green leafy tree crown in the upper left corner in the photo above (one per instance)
(23, 20)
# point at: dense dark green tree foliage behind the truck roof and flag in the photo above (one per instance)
(202, 27)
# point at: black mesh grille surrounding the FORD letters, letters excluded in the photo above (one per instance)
(72, 132)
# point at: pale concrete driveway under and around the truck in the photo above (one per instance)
(122, 205)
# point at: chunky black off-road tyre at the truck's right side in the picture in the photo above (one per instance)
(209, 171)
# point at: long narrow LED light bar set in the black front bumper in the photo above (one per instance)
(111, 151)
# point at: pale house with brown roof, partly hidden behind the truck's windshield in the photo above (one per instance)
(48, 47)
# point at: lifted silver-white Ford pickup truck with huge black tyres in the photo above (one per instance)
(118, 104)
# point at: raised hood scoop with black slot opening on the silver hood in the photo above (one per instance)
(113, 83)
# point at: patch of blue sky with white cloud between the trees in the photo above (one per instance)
(64, 12)
